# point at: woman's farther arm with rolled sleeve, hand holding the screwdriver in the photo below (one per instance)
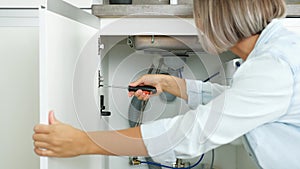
(195, 92)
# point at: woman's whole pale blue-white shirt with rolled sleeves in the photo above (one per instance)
(263, 102)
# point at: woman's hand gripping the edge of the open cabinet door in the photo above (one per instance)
(59, 140)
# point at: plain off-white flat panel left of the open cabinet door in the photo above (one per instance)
(18, 96)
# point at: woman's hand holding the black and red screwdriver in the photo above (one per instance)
(151, 80)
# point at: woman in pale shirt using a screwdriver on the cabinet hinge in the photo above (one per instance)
(261, 103)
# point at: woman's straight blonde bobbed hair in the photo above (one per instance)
(223, 23)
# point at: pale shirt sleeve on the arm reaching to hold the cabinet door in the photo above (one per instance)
(261, 92)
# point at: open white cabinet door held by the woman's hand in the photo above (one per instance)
(69, 61)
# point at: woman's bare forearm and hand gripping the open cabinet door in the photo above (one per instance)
(61, 140)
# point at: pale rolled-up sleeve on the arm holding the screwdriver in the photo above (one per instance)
(202, 92)
